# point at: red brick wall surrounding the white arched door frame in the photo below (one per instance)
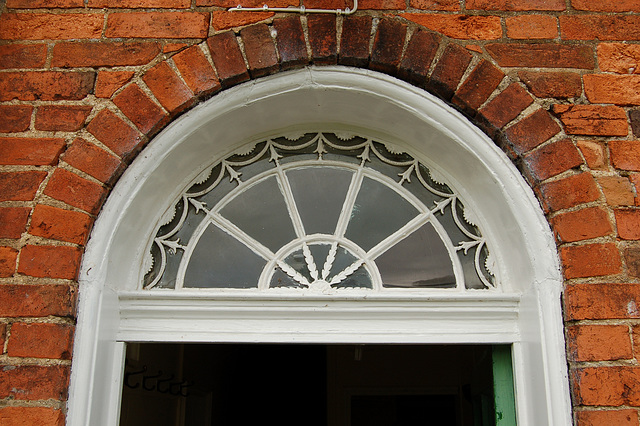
(84, 85)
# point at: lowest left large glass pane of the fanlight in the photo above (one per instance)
(221, 261)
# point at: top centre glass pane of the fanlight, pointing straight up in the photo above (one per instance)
(319, 194)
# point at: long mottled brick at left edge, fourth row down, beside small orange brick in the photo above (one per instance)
(45, 85)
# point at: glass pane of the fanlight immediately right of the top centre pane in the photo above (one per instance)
(378, 212)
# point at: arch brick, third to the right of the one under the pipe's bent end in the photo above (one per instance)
(449, 71)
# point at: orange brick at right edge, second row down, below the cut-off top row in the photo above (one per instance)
(600, 27)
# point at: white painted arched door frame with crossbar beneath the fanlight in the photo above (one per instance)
(526, 312)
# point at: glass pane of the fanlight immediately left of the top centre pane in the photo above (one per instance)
(261, 212)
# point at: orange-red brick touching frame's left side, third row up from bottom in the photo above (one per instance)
(39, 340)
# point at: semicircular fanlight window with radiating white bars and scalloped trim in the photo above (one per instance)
(322, 212)
